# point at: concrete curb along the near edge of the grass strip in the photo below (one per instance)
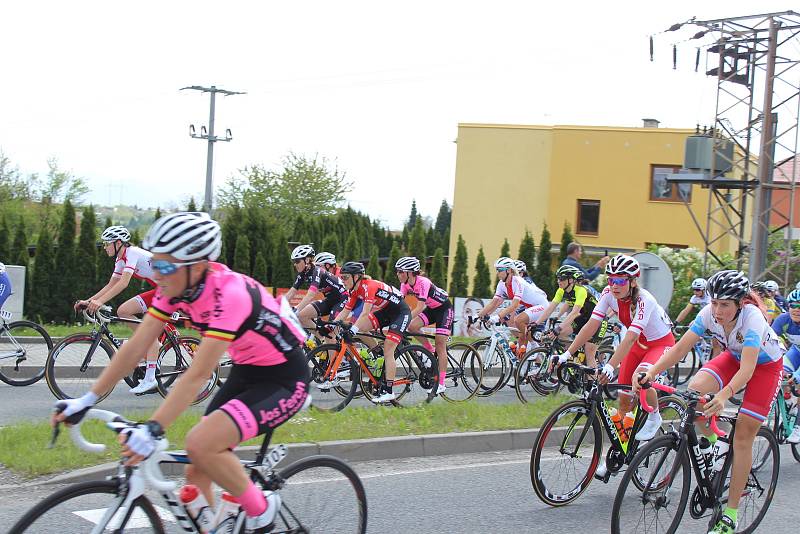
(357, 450)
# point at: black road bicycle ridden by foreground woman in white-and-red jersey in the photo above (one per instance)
(568, 447)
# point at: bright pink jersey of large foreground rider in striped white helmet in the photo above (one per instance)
(233, 307)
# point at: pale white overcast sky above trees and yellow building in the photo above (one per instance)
(378, 86)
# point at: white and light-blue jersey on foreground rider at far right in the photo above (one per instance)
(751, 330)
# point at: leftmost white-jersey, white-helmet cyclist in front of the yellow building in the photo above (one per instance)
(512, 286)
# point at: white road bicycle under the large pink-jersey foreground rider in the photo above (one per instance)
(318, 494)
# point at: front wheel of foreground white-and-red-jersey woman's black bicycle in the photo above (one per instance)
(541, 487)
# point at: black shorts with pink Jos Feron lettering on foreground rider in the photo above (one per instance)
(259, 398)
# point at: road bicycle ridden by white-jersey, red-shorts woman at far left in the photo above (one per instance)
(77, 360)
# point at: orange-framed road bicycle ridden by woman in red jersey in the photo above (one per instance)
(338, 368)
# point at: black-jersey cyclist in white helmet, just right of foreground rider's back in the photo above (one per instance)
(319, 281)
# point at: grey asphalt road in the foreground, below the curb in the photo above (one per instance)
(453, 494)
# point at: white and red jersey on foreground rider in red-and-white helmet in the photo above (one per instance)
(649, 320)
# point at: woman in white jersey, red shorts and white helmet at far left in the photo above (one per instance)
(129, 262)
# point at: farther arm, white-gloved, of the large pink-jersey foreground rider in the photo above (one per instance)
(121, 365)
